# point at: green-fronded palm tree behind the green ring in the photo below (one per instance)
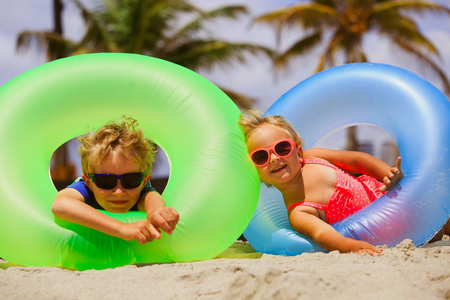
(155, 28)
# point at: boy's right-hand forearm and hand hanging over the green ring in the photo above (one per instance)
(158, 215)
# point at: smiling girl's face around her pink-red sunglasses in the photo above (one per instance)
(279, 170)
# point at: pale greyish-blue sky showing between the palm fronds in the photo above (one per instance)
(255, 78)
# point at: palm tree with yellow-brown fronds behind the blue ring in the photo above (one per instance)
(337, 27)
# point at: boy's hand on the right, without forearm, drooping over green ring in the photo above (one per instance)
(165, 218)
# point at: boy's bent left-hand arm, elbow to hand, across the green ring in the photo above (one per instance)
(69, 205)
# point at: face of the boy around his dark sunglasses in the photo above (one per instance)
(118, 199)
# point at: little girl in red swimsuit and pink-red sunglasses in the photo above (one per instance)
(316, 190)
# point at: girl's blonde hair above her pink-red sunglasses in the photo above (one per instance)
(250, 120)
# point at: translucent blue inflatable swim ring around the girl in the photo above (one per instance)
(413, 111)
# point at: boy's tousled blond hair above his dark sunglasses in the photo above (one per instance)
(124, 138)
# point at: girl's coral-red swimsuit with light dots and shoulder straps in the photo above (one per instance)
(351, 194)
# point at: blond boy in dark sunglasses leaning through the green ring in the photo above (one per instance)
(116, 163)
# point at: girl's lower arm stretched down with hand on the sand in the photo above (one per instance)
(325, 235)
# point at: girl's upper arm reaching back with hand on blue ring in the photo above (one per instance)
(359, 162)
